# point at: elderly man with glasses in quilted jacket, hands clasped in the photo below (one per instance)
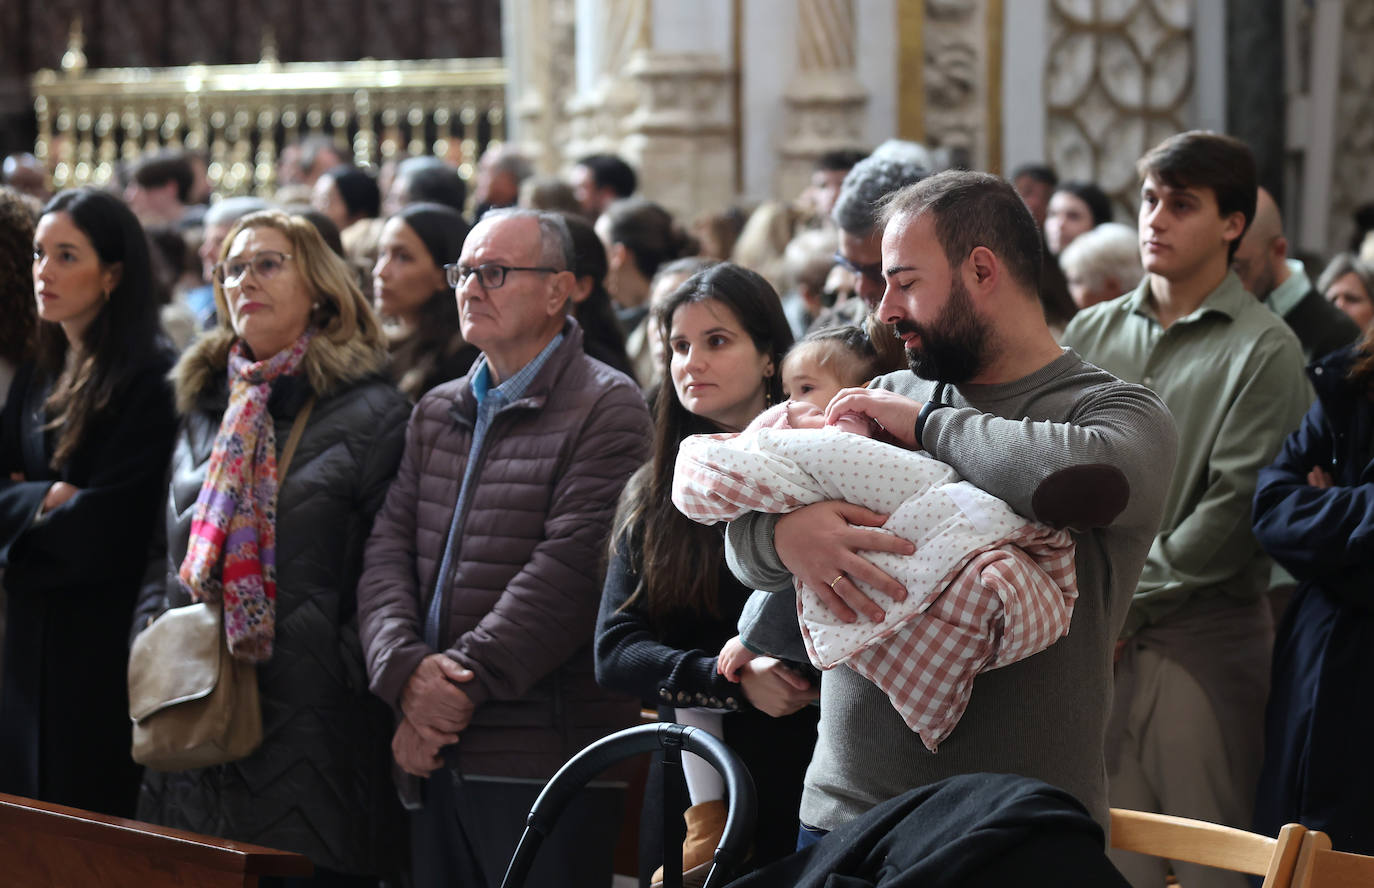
(483, 575)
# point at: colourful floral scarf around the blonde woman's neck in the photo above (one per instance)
(233, 549)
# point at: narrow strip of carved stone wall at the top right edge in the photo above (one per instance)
(1353, 178)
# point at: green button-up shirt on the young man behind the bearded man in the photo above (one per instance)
(1232, 375)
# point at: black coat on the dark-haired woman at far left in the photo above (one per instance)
(72, 579)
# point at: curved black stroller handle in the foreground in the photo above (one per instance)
(583, 768)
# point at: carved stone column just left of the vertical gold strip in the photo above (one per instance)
(825, 101)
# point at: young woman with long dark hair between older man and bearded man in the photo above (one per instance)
(670, 601)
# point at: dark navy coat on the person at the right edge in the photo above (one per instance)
(1317, 769)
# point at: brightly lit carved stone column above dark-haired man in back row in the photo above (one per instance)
(600, 111)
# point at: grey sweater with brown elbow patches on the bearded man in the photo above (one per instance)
(1070, 446)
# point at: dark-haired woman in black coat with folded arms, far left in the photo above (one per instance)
(85, 446)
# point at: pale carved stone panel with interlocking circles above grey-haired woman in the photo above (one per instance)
(1119, 80)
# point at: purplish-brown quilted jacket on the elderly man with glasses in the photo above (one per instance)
(526, 581)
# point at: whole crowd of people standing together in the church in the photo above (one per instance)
(427, 450)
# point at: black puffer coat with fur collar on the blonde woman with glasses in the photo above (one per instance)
(321, 781)
